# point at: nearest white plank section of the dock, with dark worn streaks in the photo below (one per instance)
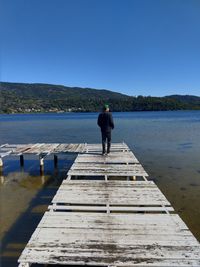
(91, 239)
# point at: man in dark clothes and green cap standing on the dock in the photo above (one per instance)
(105, 122)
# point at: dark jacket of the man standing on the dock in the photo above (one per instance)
(105, 122)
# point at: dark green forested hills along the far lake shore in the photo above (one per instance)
(24, 97)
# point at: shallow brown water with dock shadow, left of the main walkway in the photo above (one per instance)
(25, 195)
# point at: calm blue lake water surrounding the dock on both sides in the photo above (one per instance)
(166, 143)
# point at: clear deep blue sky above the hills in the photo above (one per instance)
(136, 47)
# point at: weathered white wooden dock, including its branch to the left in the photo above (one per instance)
(107, 213)
